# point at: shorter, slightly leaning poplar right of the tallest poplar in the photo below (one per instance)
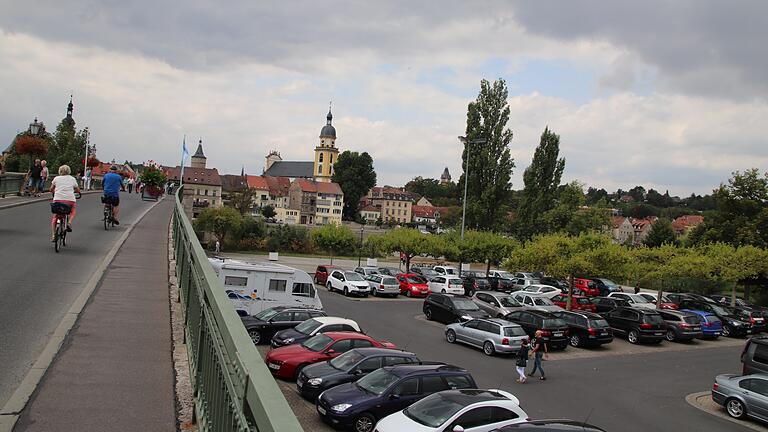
(541, 180)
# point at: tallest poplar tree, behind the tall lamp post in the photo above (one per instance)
(490, 164)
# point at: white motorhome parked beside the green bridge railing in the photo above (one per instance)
(255, 287)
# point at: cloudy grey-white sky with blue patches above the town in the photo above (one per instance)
(667, 94)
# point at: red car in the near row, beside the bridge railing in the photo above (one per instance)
(286, 362)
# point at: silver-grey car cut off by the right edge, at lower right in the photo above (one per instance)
(742, 396)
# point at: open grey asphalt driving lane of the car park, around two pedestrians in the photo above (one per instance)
(625, 389)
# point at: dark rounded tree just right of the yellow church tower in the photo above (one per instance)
(354, 172)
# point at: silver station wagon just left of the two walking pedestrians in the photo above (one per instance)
(492, 335)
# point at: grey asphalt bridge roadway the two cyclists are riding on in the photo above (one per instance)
(37, 285)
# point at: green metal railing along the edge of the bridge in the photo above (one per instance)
(233, 389)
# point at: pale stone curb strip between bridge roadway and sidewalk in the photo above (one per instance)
(10, 412)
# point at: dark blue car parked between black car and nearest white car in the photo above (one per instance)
(359, 405)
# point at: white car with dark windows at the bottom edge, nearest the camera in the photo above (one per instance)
(457, 411)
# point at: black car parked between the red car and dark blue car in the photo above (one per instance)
(348, 367)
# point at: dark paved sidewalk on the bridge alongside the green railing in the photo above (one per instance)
(114, 371)
